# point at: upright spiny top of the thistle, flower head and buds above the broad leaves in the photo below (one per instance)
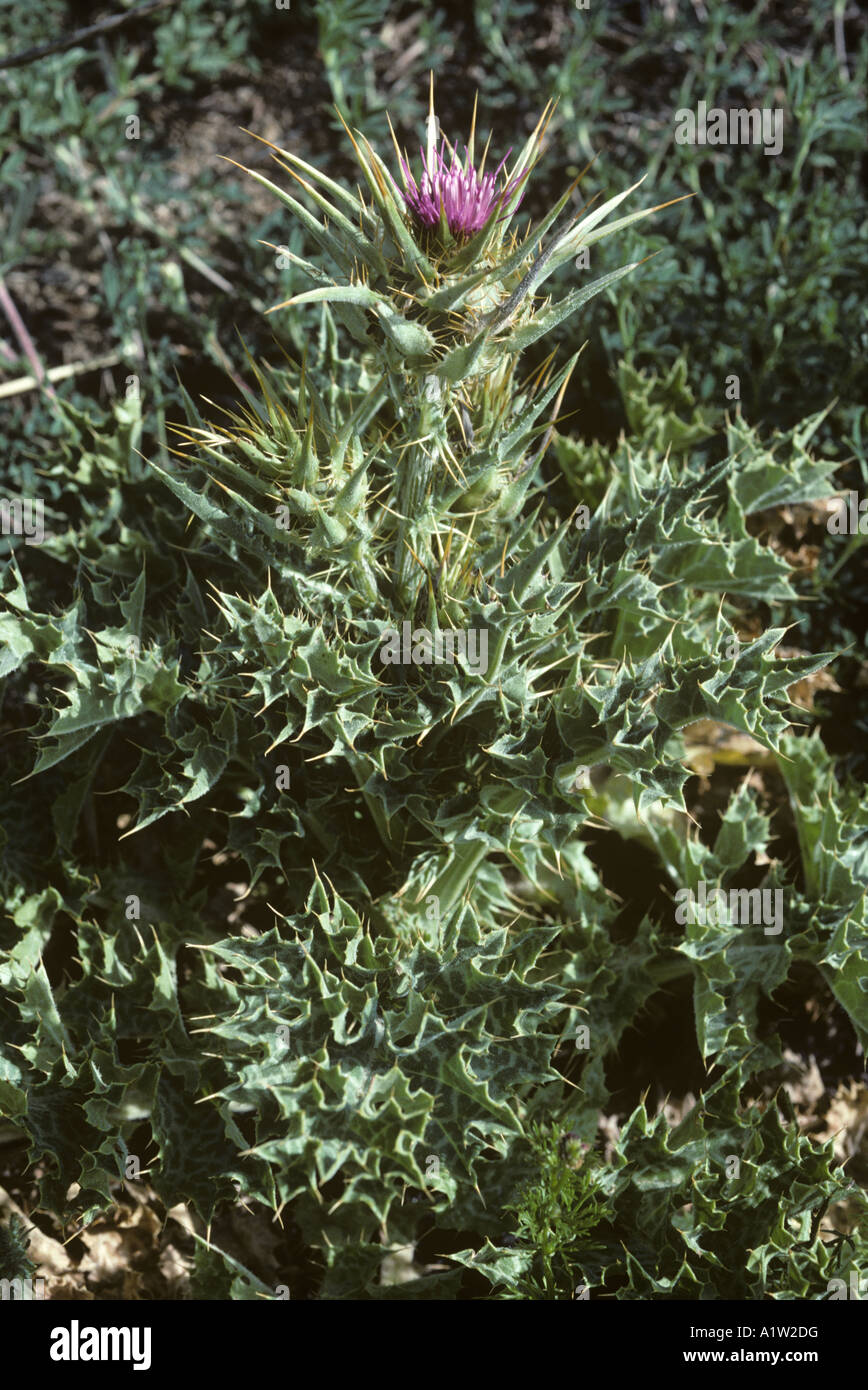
(440, 294)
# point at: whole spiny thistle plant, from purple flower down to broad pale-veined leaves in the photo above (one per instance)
(428, 936)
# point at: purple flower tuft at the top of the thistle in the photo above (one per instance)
(467, 198)
